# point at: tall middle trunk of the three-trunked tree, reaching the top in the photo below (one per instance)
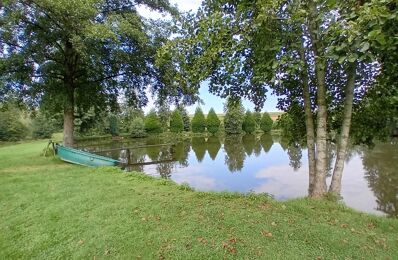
(319, 188)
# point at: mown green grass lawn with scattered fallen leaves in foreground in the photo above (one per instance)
(51, 209)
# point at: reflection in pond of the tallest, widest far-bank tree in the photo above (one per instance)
(234, 153)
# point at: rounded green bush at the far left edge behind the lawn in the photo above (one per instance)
(11, 127)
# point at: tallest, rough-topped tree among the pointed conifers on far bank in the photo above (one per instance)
(234, 117)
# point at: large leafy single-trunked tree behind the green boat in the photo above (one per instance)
(79, 54)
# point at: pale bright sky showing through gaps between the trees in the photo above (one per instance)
(210, 100)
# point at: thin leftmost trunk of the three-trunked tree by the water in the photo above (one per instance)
(309, 123)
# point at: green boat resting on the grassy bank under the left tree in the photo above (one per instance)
(83, 158)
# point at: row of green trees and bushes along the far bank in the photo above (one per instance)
(19, 123)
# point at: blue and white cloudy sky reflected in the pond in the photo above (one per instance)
(268, 173)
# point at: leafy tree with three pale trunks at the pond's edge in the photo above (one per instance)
(314, 53)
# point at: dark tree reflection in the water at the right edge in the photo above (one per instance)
(381, 168)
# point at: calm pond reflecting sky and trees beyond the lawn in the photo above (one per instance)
(260, 164)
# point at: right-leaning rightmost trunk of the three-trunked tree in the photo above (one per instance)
(335, 186)
